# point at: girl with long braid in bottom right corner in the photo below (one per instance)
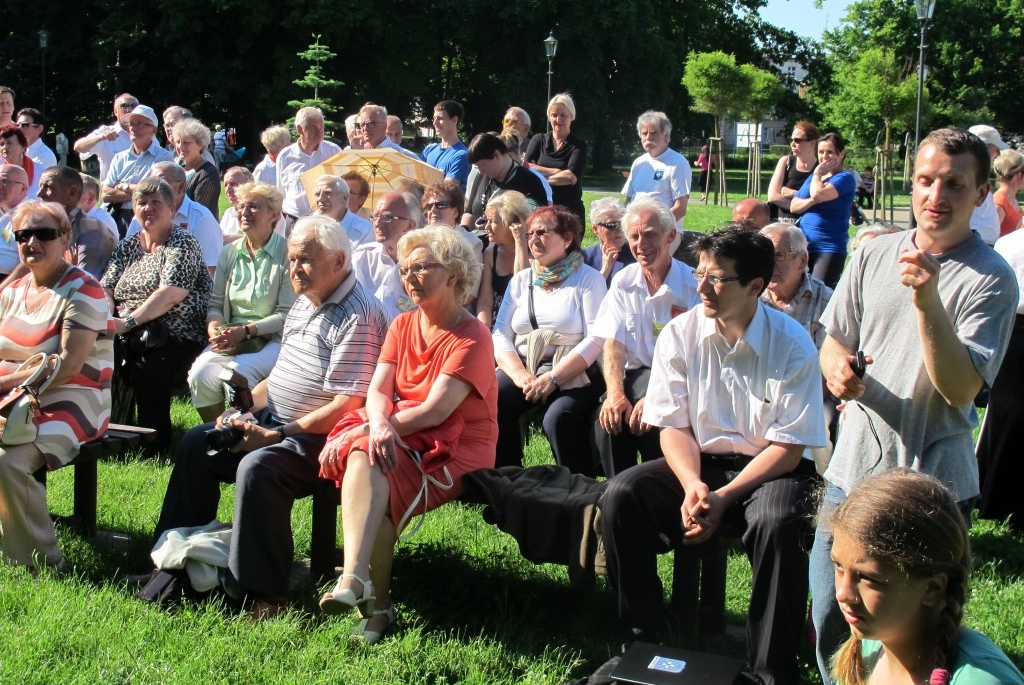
(903, 565)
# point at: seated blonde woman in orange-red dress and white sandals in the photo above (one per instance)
(440, 360)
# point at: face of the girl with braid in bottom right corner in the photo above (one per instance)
(878, 601)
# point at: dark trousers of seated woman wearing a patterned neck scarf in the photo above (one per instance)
(568, 423)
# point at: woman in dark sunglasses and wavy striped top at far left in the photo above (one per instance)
(59, 310)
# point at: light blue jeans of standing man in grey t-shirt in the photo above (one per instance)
(830, 627)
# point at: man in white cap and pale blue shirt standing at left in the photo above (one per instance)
(133, 165)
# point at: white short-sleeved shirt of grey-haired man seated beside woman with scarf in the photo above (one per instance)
(634, 317)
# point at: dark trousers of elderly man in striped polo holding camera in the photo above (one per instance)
(268, 481)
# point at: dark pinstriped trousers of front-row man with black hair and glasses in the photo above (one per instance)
(641, 519)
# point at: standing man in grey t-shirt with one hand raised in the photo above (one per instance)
(931, 310)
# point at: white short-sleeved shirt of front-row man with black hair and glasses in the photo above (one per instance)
(765, 389)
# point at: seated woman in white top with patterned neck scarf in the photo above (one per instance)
(543, 345)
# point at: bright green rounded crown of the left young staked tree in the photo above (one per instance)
(717, 85)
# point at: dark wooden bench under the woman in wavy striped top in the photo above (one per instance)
(118, 440)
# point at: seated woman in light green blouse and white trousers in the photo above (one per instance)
(251, 297)
